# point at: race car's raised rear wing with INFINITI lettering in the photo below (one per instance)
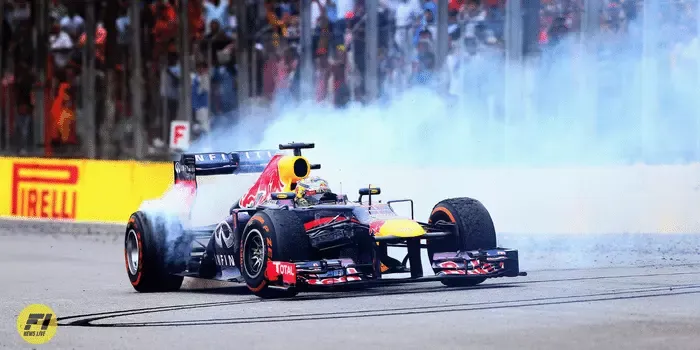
(192, 165)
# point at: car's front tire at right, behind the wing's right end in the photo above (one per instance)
(475, 230)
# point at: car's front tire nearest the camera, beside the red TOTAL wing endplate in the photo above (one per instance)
(271, 235)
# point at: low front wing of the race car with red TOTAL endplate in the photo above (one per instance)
(477, 264)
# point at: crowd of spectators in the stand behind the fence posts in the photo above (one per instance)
(407, 41)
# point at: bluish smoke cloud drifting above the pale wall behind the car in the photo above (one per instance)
(620, 99)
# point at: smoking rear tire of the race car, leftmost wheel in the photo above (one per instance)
(149, 260)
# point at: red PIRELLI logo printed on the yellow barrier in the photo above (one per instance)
(44, 190)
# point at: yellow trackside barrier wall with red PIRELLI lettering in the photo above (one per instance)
(79, 190)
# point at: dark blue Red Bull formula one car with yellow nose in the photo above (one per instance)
(285, 235)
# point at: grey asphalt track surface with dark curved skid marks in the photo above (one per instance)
(585, 297)
